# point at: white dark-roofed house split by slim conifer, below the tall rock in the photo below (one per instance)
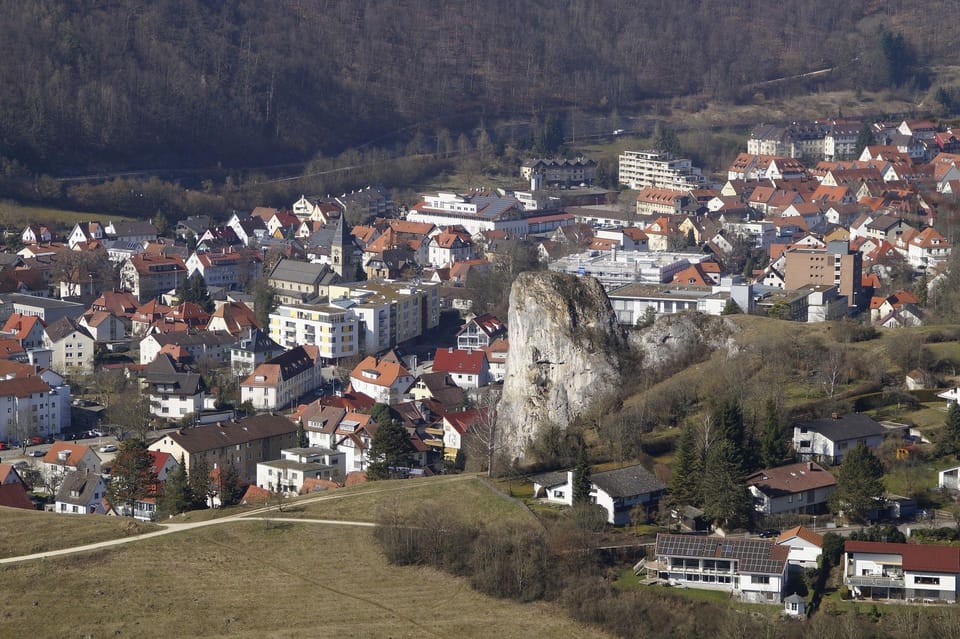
(619, 491)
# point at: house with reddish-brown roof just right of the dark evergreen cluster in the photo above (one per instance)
(802, 488)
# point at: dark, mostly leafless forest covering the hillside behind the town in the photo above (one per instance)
(123, 83)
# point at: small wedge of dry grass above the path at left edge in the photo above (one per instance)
(24, 532)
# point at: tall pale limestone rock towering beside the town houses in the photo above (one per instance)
(565, 349)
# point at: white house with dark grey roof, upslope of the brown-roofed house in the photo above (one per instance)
(828, 439)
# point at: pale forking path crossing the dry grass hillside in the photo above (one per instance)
(256, 514)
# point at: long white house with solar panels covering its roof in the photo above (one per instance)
(753, 570)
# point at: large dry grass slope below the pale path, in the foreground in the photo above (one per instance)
(256, 579)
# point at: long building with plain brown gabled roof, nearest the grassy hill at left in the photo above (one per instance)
(242, 443)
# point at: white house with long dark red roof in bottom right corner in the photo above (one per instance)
(912, 572)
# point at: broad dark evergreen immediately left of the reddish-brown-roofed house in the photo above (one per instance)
(726, 499)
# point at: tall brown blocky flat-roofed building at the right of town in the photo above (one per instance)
(836, 265)
